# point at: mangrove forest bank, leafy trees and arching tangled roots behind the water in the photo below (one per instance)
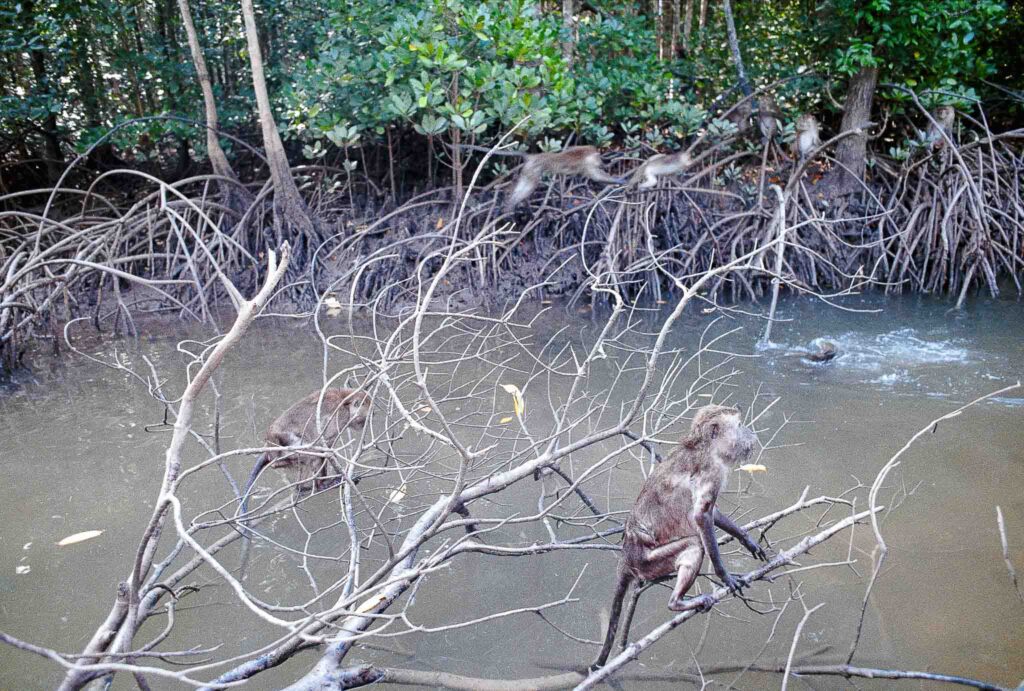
(160, 145)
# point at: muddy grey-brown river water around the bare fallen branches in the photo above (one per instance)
(75, 456)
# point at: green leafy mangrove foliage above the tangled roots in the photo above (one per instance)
(343, 74)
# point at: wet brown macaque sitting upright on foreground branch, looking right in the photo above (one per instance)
(672, 525)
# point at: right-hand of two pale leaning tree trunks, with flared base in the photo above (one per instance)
(291, 212)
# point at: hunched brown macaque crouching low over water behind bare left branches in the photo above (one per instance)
(340, 410)
